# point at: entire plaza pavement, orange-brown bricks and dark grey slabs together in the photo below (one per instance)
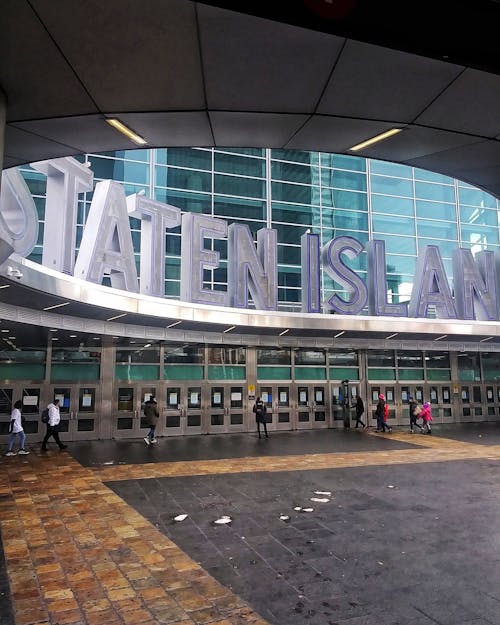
(409, 533)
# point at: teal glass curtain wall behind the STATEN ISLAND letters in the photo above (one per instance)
(296, 192)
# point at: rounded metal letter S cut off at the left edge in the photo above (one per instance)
(18, 216)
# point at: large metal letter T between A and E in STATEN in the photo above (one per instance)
(155, 217)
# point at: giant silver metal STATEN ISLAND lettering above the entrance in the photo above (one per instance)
(106, 249)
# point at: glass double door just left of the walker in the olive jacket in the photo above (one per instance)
(129, 420)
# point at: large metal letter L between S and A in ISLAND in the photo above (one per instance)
(377, 283)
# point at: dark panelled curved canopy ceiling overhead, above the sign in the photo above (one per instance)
(318, 76)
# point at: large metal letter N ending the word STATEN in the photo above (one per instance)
(251, 270)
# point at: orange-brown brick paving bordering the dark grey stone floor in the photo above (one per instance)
(77, 553)
